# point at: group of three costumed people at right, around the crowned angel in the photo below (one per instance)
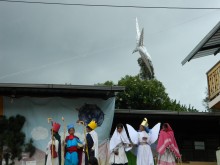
(167, 148)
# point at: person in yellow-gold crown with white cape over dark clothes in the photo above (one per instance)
(91, 146)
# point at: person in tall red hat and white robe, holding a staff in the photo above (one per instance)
(53, 150)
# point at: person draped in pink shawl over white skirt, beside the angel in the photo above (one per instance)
(167, 147)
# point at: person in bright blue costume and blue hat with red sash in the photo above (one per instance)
(72, 147)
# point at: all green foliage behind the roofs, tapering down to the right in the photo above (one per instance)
(146, 94)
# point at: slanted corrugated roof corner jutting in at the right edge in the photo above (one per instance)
(209, 45)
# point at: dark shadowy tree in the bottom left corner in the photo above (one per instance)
(13, 139)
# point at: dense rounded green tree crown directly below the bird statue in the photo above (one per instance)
(141, 94)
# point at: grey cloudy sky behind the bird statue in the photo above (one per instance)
(79, 45)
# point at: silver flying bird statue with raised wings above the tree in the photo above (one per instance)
(145, 56)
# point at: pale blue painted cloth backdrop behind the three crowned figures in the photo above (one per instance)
(38, 110)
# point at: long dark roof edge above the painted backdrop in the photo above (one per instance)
(58, 90)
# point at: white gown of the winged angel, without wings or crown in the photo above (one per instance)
(144, 153)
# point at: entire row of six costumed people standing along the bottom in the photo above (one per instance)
(73, 147)
